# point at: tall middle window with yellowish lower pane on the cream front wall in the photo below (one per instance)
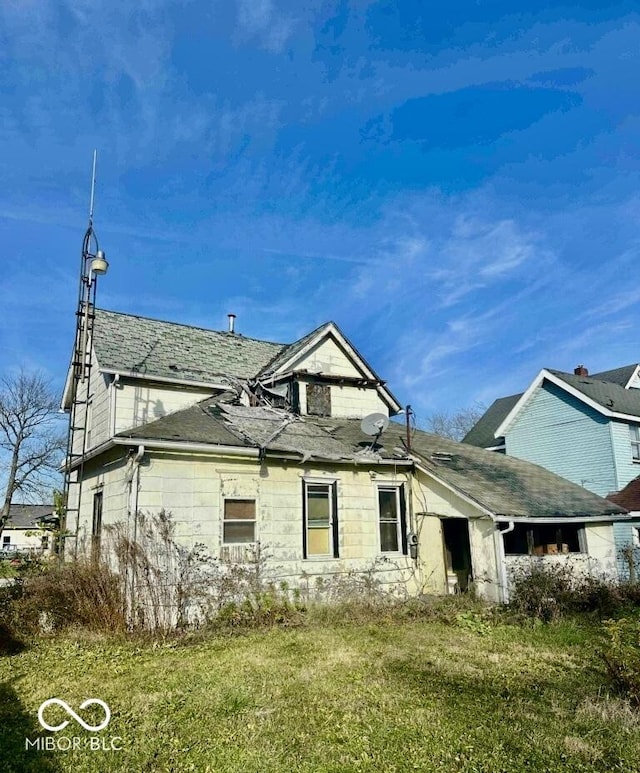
(320, 533)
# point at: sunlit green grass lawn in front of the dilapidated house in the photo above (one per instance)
(417, 696)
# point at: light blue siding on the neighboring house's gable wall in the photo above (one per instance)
(559, 432)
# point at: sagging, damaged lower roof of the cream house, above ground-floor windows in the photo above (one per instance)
(505, 486)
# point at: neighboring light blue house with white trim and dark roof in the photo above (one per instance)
(584, 428)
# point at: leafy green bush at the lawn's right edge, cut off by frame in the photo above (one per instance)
(620, 652)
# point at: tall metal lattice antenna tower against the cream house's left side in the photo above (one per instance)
(92, 264)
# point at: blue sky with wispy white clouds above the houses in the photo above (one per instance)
(456, 185)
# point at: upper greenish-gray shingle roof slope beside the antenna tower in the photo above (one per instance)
(130, 344)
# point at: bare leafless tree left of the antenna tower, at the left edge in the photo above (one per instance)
(30, 438)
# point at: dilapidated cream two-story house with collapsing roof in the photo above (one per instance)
(247, 441)
